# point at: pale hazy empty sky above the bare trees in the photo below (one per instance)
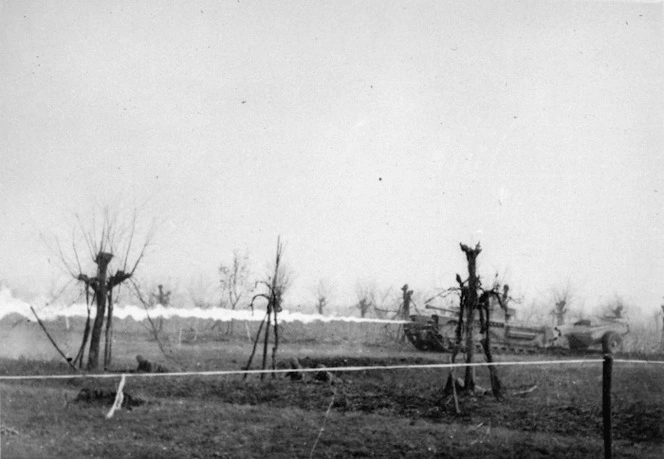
(373, 136)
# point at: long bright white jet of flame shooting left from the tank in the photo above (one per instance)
(47, 312)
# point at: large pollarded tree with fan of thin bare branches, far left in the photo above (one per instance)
(112, 248)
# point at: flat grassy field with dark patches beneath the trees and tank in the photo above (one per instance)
(373, 413)
